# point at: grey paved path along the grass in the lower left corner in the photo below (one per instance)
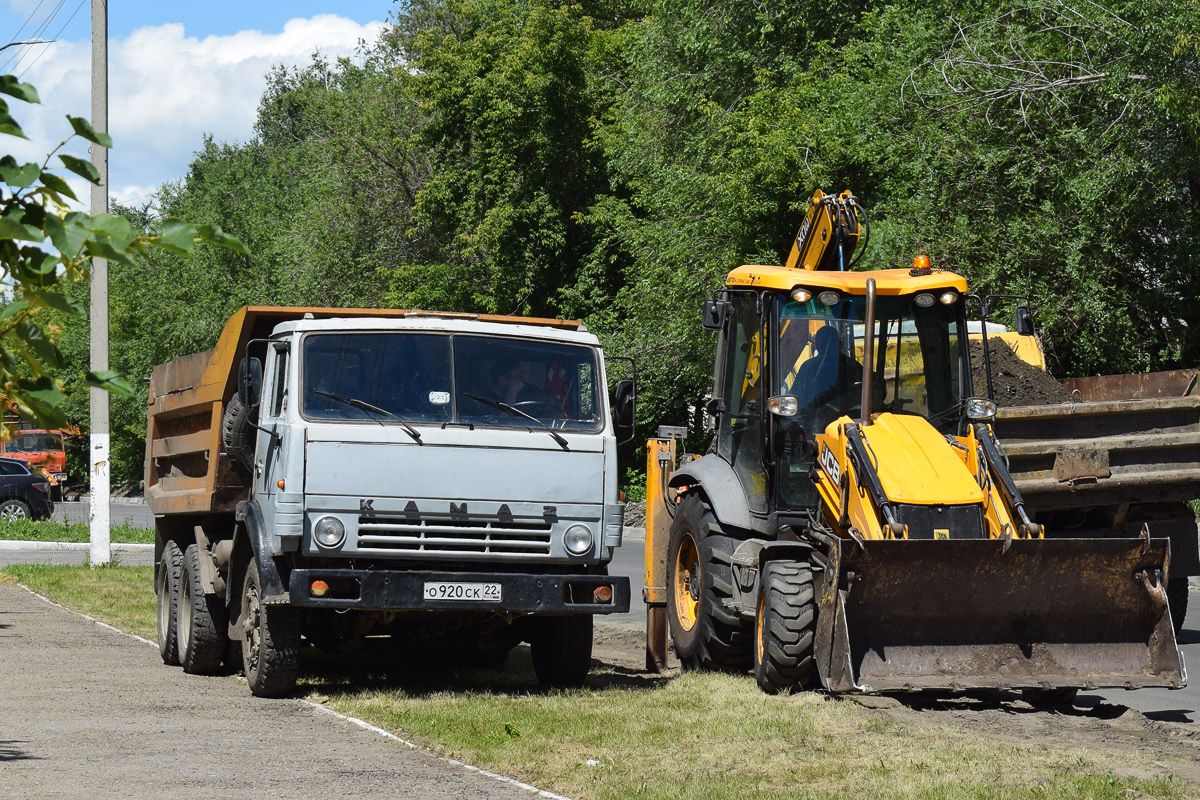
(87, 712)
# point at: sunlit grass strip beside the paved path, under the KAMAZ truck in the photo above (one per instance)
(695, 737)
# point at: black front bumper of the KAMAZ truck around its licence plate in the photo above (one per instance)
(406, 591)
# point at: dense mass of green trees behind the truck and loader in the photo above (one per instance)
(613, 160)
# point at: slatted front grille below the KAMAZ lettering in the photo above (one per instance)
(429, 533)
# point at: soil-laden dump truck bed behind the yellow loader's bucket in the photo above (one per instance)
(1105, 456)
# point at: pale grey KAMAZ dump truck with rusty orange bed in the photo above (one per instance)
(431, 486)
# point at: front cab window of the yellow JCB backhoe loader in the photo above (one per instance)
(917, 359)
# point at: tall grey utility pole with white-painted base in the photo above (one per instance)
(101, 551)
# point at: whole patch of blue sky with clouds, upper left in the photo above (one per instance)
(178, 71)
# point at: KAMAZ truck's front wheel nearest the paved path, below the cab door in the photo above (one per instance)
(271, 652)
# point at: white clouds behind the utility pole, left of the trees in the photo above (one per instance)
(167, 91)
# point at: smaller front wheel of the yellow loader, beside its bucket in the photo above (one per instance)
(785, 627)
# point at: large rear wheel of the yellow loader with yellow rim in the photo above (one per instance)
(706, 633)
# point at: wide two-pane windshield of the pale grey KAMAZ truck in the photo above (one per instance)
(428, 378)
